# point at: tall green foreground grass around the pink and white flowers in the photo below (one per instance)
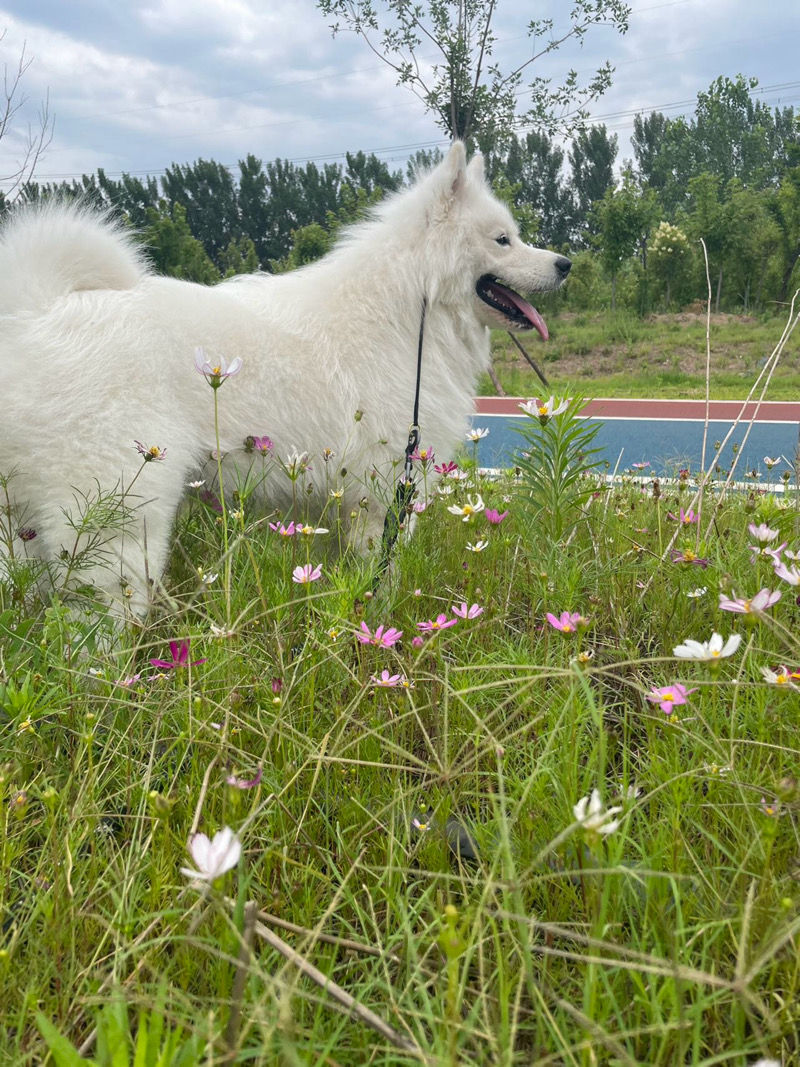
(671, 942)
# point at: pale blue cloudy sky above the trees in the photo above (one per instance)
(137, 86)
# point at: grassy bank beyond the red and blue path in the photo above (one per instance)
(665, 356)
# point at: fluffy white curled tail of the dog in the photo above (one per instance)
(49, 251)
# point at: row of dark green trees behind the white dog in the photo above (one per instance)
(729, 176)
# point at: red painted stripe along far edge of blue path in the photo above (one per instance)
(771, 411)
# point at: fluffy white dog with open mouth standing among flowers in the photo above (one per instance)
(97, 353)
